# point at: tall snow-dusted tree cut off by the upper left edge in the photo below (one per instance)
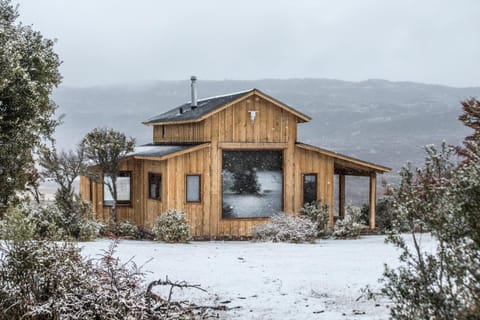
(28, 74)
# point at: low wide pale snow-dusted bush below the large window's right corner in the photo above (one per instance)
(286, 228)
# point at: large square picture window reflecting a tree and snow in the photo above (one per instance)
(252, 184)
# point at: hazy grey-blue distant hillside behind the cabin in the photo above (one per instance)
(376, 120)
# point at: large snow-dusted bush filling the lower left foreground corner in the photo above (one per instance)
(50, 280)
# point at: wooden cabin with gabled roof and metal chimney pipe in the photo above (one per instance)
(229, 162)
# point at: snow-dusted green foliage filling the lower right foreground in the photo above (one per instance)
(444, 199)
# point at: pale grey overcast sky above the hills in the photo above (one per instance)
(114, 41)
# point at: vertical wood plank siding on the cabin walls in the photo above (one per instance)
(272, 124)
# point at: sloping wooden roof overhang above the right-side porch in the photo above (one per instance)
(347, 165)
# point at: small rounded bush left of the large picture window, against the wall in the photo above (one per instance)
(172, 226)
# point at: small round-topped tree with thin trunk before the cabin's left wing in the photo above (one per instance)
(106, 148)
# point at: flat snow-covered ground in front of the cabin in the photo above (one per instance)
(271, 280)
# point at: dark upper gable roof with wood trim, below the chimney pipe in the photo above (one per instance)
(208, 106)
